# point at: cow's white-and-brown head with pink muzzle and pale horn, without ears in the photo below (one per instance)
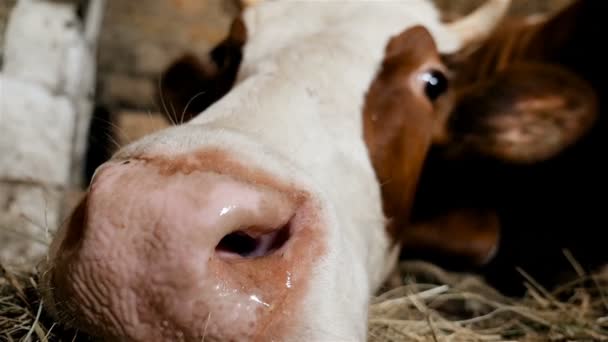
(276, 212)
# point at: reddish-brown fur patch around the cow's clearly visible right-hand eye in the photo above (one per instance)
(399, 122)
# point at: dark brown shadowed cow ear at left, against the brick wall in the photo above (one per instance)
(189, 86)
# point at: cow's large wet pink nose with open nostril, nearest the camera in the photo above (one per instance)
(157, 256)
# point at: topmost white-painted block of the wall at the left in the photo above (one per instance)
(45, 44)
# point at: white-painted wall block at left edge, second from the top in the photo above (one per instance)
(37, 130)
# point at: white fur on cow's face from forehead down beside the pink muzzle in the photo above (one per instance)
(296, 112)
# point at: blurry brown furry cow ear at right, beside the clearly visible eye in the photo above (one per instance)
(526, 113)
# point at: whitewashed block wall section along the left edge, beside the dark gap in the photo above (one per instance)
(46, 92)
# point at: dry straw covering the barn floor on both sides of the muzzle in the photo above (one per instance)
(427, 304)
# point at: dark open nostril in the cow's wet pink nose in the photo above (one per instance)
(251, 244)
